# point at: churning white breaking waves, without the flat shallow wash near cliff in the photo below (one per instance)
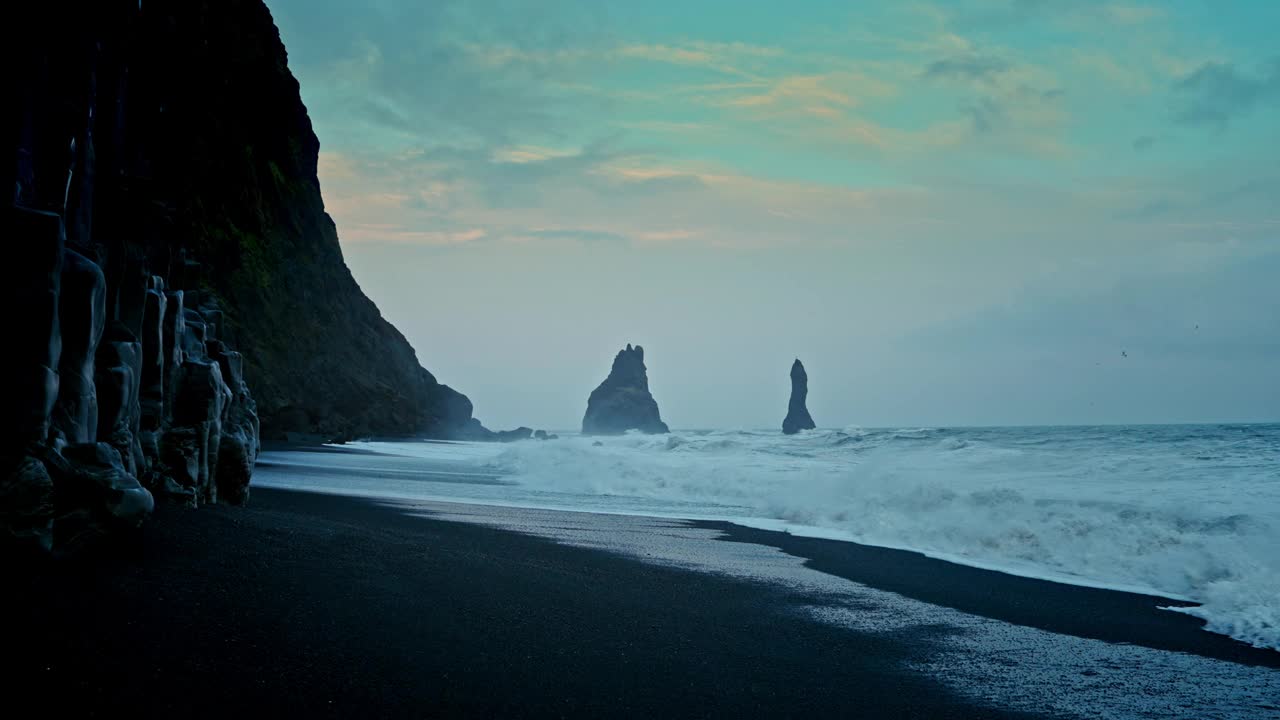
(1140, 516)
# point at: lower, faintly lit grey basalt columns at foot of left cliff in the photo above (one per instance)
(94, 432)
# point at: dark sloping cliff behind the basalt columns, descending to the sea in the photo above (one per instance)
(234, 144)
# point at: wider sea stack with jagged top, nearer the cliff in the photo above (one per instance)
(623, 402)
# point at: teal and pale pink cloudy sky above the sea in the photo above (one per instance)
(964, 213)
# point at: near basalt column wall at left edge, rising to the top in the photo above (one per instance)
(120, 394)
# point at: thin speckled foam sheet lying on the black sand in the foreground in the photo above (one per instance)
(1011, 667)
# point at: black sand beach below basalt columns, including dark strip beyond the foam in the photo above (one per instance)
(313, 605)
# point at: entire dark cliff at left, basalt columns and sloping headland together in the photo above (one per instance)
(171, 274)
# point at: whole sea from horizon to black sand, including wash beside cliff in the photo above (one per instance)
(1183, 512)
